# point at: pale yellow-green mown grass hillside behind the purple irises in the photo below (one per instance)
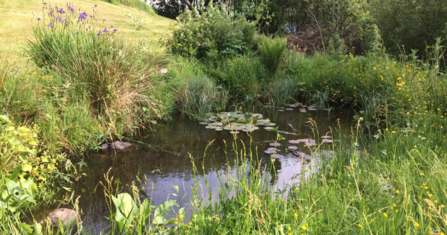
(18, 16)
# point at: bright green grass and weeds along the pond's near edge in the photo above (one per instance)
(377, 187)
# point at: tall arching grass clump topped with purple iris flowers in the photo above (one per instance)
(92, 59)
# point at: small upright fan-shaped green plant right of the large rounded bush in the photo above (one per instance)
(272, 52)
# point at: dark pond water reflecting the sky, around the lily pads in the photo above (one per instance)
(166, 161)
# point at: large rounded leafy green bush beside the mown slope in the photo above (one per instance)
(216, 32)
